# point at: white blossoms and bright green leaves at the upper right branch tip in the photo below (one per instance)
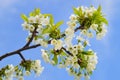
(91, 20)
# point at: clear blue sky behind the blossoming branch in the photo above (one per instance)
(13, 37)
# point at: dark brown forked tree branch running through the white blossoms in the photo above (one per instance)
(27, 47)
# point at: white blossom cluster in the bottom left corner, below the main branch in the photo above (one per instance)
(9, 72)
